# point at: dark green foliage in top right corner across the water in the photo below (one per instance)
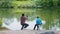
(48, 3)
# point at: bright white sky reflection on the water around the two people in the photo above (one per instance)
(13, 24)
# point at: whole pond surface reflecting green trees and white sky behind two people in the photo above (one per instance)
(11, 18)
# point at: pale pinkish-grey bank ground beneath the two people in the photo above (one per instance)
(29, 32)
